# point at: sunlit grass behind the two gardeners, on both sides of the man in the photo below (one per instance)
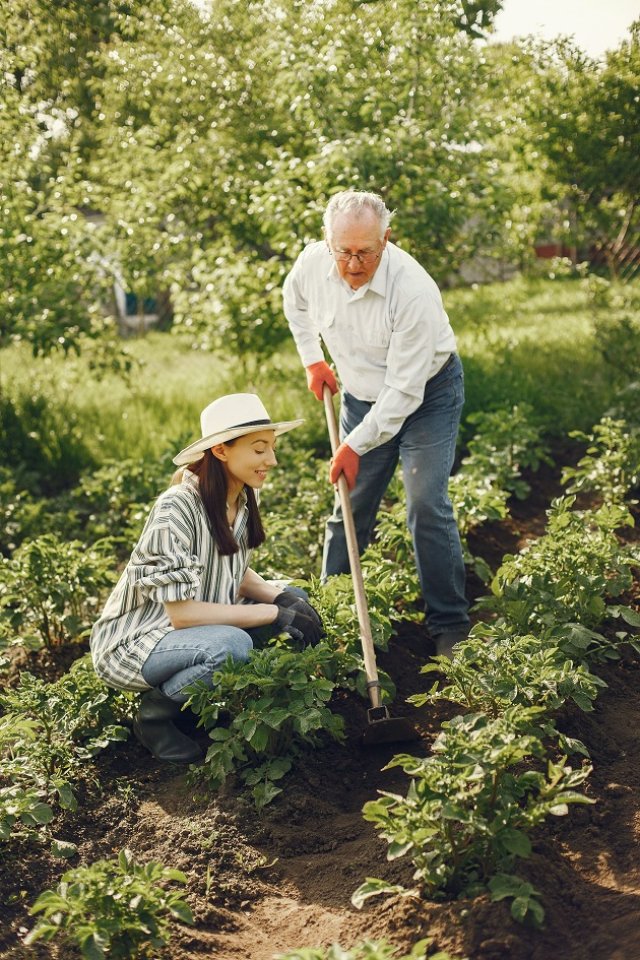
(527, 340)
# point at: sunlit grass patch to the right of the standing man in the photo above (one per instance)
(532, 340)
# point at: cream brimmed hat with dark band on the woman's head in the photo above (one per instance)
(227, 418)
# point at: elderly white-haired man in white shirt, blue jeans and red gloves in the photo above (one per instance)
(380, 316)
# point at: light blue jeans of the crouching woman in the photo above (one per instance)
(184, 656)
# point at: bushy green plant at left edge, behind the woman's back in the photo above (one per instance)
(51, 590)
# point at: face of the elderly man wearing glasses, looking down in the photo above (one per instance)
(357, 234)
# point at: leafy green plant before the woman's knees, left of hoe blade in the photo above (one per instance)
(274, 703)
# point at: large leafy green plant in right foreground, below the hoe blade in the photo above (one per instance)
(471, 804)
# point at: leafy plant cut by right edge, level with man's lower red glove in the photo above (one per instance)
(611, 465)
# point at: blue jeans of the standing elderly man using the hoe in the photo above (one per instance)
(425, 447)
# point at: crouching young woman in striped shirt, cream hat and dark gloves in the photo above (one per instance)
(187, 598)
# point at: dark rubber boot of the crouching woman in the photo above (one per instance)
(154, 728)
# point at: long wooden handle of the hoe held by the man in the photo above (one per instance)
(366, 637)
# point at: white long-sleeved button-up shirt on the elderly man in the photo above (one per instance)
(387, 339)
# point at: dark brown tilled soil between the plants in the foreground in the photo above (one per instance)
(264, 883)
